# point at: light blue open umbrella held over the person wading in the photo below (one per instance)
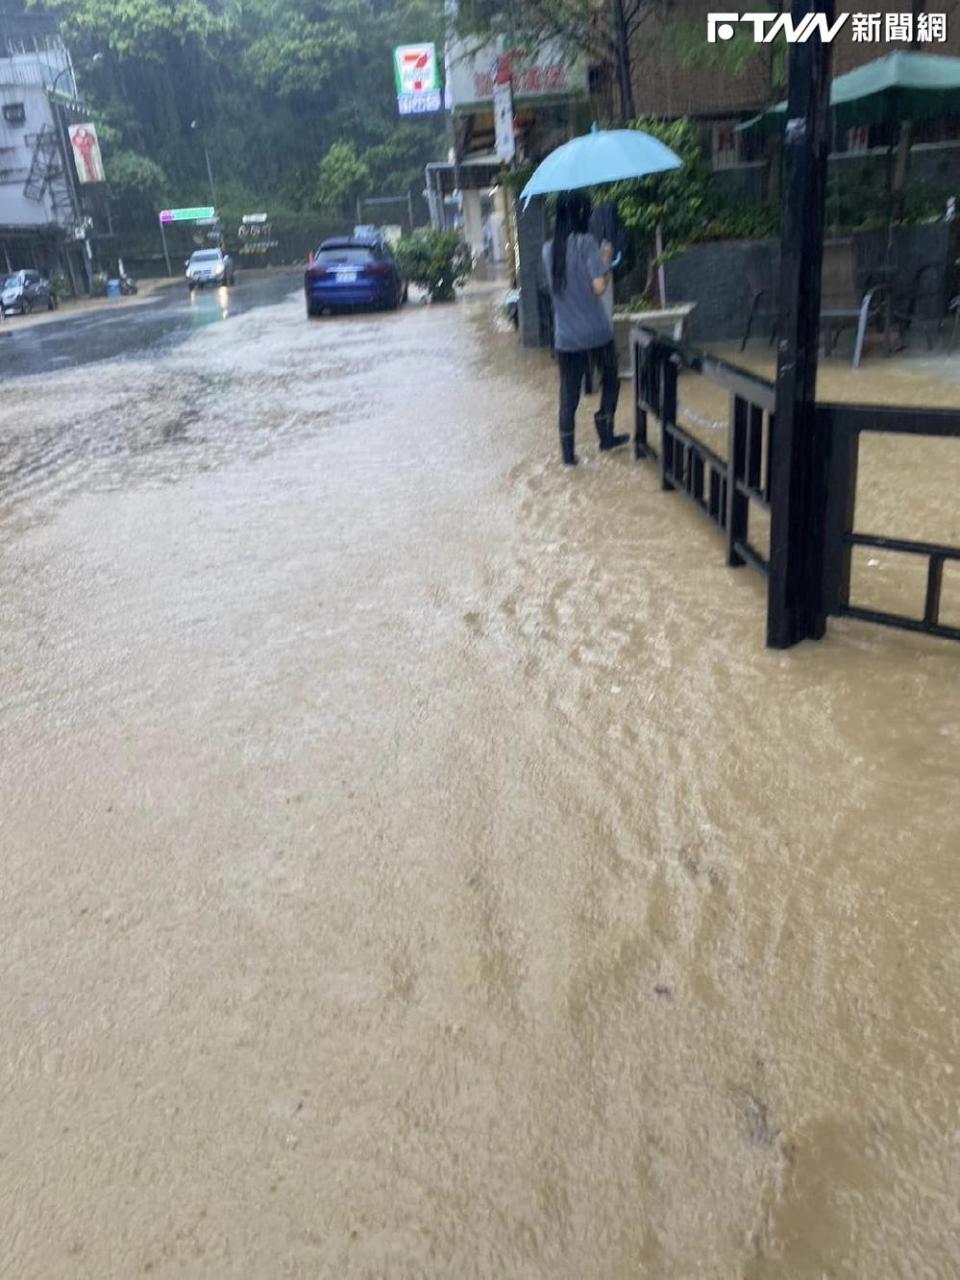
(601, 157)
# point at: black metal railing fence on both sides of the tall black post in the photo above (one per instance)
(726, 490)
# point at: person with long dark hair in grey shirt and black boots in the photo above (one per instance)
(583, 328)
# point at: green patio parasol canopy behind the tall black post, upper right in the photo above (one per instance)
(904, 86)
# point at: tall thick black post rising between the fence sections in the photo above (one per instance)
(798, 465)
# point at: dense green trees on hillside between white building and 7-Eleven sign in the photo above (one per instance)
(273, 86)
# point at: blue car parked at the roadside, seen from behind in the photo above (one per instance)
(354, 273)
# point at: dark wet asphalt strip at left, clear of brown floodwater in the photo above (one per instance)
(132, 327)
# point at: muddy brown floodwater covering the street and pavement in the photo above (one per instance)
(414, 865)
